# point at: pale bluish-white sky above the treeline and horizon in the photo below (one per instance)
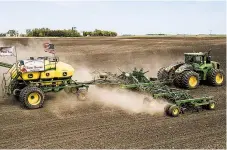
(124, 17)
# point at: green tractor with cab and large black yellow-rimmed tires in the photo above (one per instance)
(196, 68)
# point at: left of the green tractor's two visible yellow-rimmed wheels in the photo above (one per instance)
(190, 80)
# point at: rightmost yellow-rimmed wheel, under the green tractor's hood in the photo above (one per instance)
(216, 77)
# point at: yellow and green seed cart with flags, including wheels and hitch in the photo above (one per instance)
(28, 80)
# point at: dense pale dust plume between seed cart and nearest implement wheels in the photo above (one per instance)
(128, 101)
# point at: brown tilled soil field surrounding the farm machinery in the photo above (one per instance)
(64, 122)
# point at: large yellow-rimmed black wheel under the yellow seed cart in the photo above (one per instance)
(32, 97)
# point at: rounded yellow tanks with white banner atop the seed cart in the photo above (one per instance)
(42, 68)
